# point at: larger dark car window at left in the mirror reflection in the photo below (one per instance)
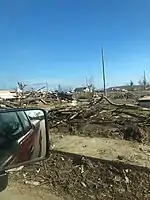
(10, 125)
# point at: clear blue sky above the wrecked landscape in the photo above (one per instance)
(59, 41)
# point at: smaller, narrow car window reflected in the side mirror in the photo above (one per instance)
(25, 121)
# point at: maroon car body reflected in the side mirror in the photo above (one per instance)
(19, 138)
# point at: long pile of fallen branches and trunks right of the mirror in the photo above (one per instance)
(102, 118)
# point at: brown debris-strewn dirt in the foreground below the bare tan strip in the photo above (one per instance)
(75, 177)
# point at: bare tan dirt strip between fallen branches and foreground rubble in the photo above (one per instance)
(105, 148)
